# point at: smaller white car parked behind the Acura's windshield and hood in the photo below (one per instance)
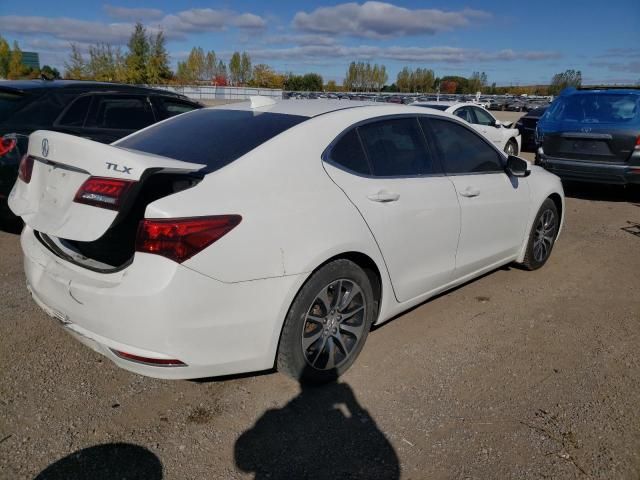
(505, 138)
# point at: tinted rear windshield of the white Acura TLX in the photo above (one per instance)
(211, 136)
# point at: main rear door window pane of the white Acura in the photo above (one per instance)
(396, 147)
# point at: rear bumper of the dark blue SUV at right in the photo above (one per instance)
(588, 171)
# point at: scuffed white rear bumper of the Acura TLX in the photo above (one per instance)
(159, 309)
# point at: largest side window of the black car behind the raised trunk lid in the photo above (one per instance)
(117, 112)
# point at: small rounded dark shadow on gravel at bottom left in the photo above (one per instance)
(106, 462)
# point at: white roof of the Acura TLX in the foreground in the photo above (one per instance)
(303, 108)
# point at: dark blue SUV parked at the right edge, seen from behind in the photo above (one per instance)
(592, 135)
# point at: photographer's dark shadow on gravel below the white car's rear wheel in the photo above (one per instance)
(323, 433)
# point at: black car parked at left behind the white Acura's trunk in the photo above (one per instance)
(104, 112)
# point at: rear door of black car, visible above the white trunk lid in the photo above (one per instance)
(113, 116)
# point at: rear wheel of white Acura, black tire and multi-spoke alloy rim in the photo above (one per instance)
(309, 315)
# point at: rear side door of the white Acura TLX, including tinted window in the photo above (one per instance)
(392, 177)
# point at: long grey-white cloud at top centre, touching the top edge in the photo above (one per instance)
(375, 19)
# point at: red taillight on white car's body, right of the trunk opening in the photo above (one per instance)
(180, 238)
